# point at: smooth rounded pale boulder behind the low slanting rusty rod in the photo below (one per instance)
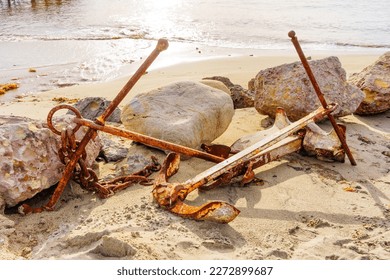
(185, 113)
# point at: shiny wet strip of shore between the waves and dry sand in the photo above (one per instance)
(89, 62)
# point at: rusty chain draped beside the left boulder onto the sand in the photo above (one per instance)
(88, 179)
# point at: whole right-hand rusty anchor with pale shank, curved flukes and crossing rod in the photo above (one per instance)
(283, 141)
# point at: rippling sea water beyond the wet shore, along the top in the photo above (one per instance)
(232, 23)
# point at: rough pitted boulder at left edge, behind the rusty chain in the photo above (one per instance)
(29, 161)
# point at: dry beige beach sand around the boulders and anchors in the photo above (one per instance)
(302, 211)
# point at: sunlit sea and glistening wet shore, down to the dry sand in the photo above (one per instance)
(75, 41)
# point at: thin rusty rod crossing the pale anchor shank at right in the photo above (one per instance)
(321, 97)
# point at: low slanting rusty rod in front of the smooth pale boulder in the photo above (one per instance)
(150, 141)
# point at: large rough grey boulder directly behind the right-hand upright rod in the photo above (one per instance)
(289, 87)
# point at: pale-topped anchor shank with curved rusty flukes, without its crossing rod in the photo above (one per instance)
(172, 195)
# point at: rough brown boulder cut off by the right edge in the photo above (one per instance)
(374, 81)
